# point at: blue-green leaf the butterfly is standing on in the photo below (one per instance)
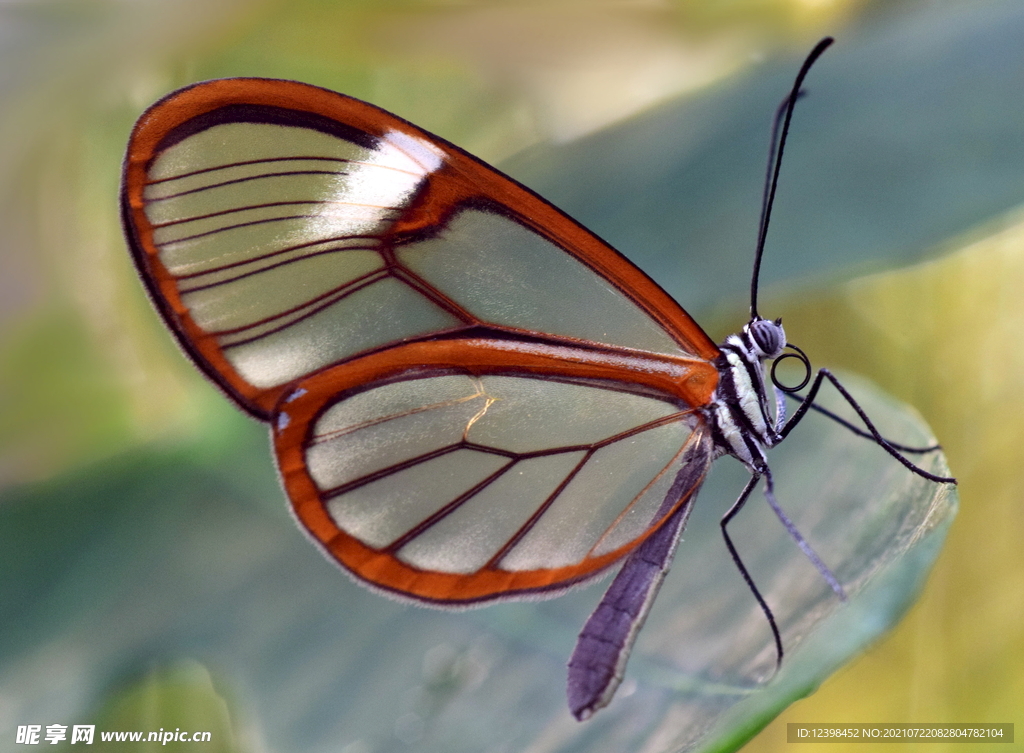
(173, 554)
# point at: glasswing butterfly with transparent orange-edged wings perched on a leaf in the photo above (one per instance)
(472, 398)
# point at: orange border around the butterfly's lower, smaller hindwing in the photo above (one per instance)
(686, 381)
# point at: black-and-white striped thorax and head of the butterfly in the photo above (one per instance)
(742, 422)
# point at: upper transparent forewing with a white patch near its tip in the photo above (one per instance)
(283, 229)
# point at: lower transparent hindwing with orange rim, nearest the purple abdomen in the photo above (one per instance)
(470, 484)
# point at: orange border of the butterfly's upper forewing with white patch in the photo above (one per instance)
(461, 181)
